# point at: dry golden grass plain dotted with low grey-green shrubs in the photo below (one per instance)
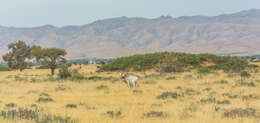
(213, 98)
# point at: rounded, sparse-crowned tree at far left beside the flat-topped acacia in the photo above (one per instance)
(18, 56)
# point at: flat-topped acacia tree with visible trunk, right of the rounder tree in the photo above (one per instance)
(49, 57)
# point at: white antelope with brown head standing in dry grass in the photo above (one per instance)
(130, 80)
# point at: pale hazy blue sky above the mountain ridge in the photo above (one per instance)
(29, 13)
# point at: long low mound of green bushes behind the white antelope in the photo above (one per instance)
(175, 62)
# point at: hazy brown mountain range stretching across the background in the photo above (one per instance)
(223, 34)
